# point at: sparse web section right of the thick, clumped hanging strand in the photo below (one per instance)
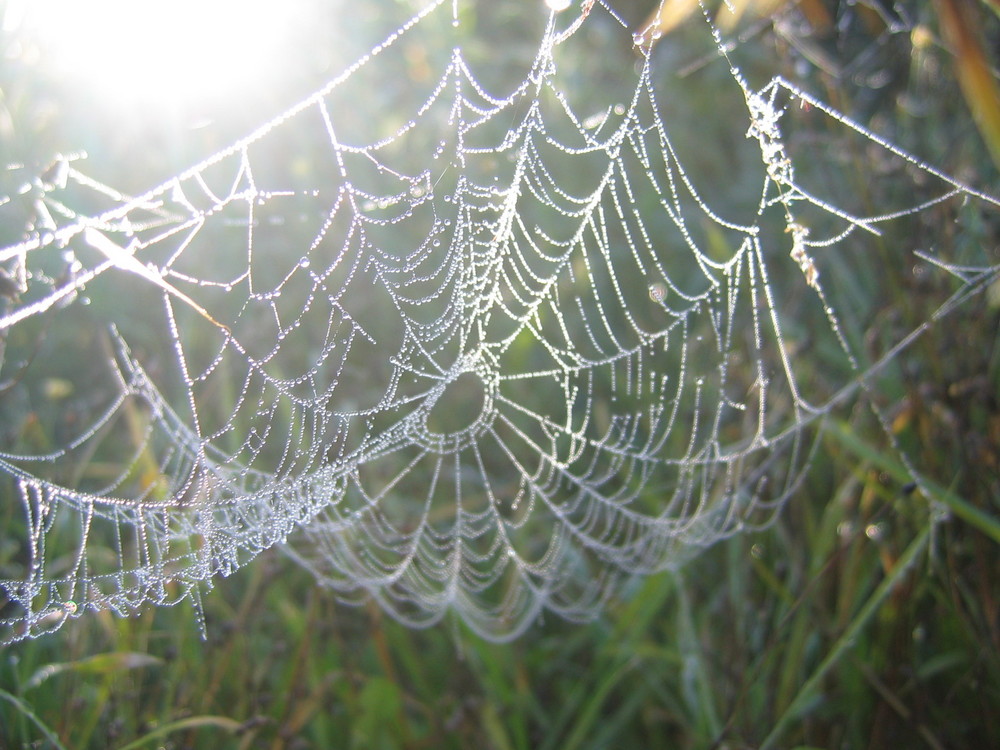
(864, 215)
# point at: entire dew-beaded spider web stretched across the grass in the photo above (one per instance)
(480, 327)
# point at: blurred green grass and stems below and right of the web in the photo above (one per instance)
(867, 615)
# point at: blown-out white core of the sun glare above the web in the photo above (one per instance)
(143, 52)
